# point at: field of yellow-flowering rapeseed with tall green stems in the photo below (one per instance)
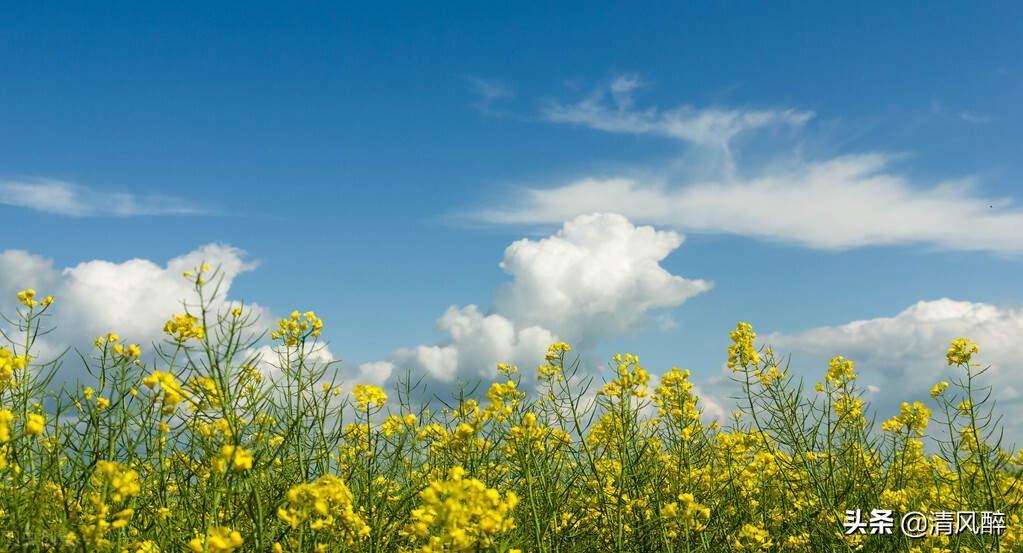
(195, 446)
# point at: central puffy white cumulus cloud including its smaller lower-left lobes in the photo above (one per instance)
(596, 279)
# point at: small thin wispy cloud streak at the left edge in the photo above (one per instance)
(68, 199)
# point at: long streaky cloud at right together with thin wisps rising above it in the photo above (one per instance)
(835, 204)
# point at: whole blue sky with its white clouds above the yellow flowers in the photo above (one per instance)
(843, 177)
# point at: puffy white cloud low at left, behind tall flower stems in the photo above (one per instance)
(132, 299)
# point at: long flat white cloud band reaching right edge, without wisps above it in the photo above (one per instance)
(840, 204)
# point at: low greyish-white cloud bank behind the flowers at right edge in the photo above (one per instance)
(904, 356)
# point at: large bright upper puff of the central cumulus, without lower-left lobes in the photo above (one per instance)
(597, 279)
